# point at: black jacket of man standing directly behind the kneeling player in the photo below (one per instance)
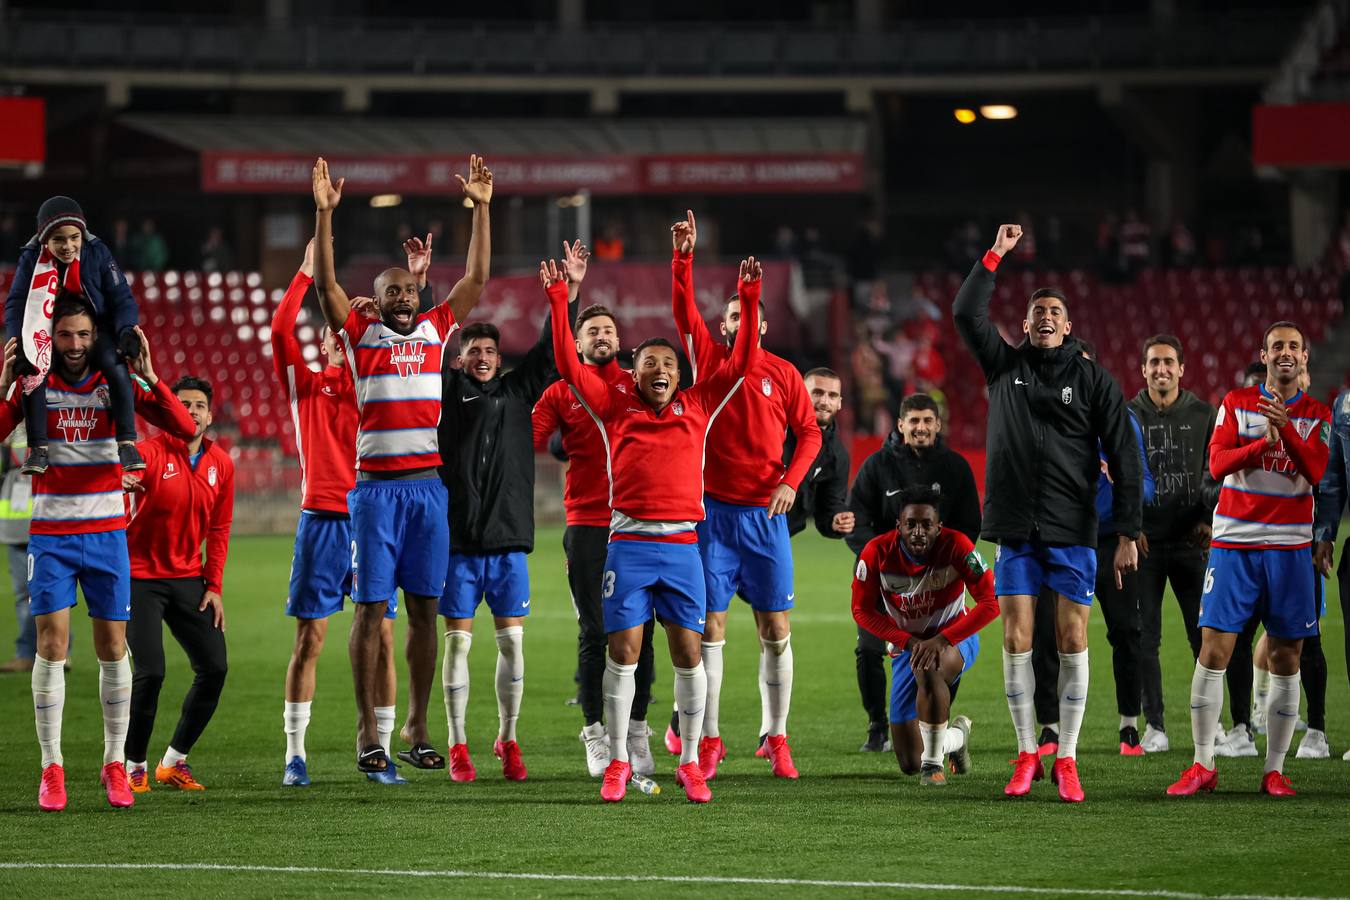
(885, 474)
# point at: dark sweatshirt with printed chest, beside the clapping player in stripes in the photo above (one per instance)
(1177, 442)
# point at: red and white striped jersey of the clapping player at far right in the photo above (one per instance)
(1266, 501)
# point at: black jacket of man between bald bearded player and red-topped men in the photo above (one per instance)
(488, 453)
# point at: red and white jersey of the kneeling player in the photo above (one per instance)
(897, 597)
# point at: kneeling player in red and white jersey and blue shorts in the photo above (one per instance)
(909, 590)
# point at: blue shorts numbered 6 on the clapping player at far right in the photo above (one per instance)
(1279, 586)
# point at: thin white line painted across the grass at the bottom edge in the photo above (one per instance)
(646, 879)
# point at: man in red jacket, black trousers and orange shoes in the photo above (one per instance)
(186, 497)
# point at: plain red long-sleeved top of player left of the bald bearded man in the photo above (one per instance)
(323, 411)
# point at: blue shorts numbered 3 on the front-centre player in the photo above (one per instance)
(643, 578)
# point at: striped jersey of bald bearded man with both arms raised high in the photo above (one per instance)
(399, 389)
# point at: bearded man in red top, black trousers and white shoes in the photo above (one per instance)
(587, 539)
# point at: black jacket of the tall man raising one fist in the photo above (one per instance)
(1050, 408)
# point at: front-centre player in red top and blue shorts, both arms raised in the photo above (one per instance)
(655, 435)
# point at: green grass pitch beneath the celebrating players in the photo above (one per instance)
(851, 818)
